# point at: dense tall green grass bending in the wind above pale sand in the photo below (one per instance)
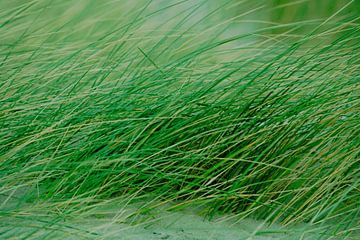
(191, 102)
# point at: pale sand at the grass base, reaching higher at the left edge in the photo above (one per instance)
(119, 220)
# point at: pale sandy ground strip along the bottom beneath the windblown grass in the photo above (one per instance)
(170, 225)
